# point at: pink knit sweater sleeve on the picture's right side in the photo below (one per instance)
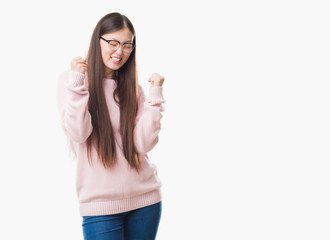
(148, 119)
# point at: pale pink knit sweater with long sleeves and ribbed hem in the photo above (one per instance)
(108, 191)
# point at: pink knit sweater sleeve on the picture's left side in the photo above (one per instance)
(72, 98)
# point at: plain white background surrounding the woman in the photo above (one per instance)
(244, 146)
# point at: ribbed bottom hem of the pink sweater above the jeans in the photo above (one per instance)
(119, 206)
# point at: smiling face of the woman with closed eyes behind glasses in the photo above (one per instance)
(113, 58)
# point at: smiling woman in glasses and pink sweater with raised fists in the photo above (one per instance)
(111, 127)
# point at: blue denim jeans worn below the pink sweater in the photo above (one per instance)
(138, 224)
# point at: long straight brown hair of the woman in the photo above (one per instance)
(126, 95)
